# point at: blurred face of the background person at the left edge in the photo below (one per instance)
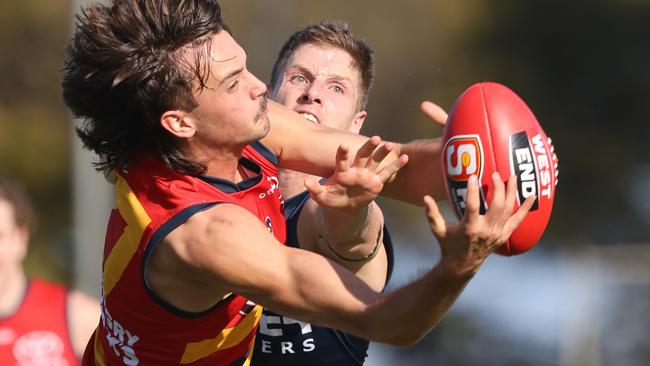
(13, 240)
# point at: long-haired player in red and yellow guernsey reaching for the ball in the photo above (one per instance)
(194, 242)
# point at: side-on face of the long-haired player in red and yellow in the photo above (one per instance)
(232, 108)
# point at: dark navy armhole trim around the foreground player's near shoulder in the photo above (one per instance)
(156, 238)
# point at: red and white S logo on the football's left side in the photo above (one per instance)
(463, 158)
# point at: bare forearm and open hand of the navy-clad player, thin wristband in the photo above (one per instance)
(341, 221)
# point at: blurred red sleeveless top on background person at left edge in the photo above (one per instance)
(37, 333)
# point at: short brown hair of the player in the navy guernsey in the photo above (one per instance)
(336, 34)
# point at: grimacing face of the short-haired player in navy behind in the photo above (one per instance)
(321, 83)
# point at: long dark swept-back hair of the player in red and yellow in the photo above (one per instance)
(129, 63)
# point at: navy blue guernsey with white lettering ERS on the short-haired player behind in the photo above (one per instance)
(283, 341)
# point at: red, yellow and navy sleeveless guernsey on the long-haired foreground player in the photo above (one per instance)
(139, 328)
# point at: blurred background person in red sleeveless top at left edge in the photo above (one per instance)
(41, 323)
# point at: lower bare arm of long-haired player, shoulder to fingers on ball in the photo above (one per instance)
(227, 249)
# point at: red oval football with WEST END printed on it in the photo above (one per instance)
(491, 129)
